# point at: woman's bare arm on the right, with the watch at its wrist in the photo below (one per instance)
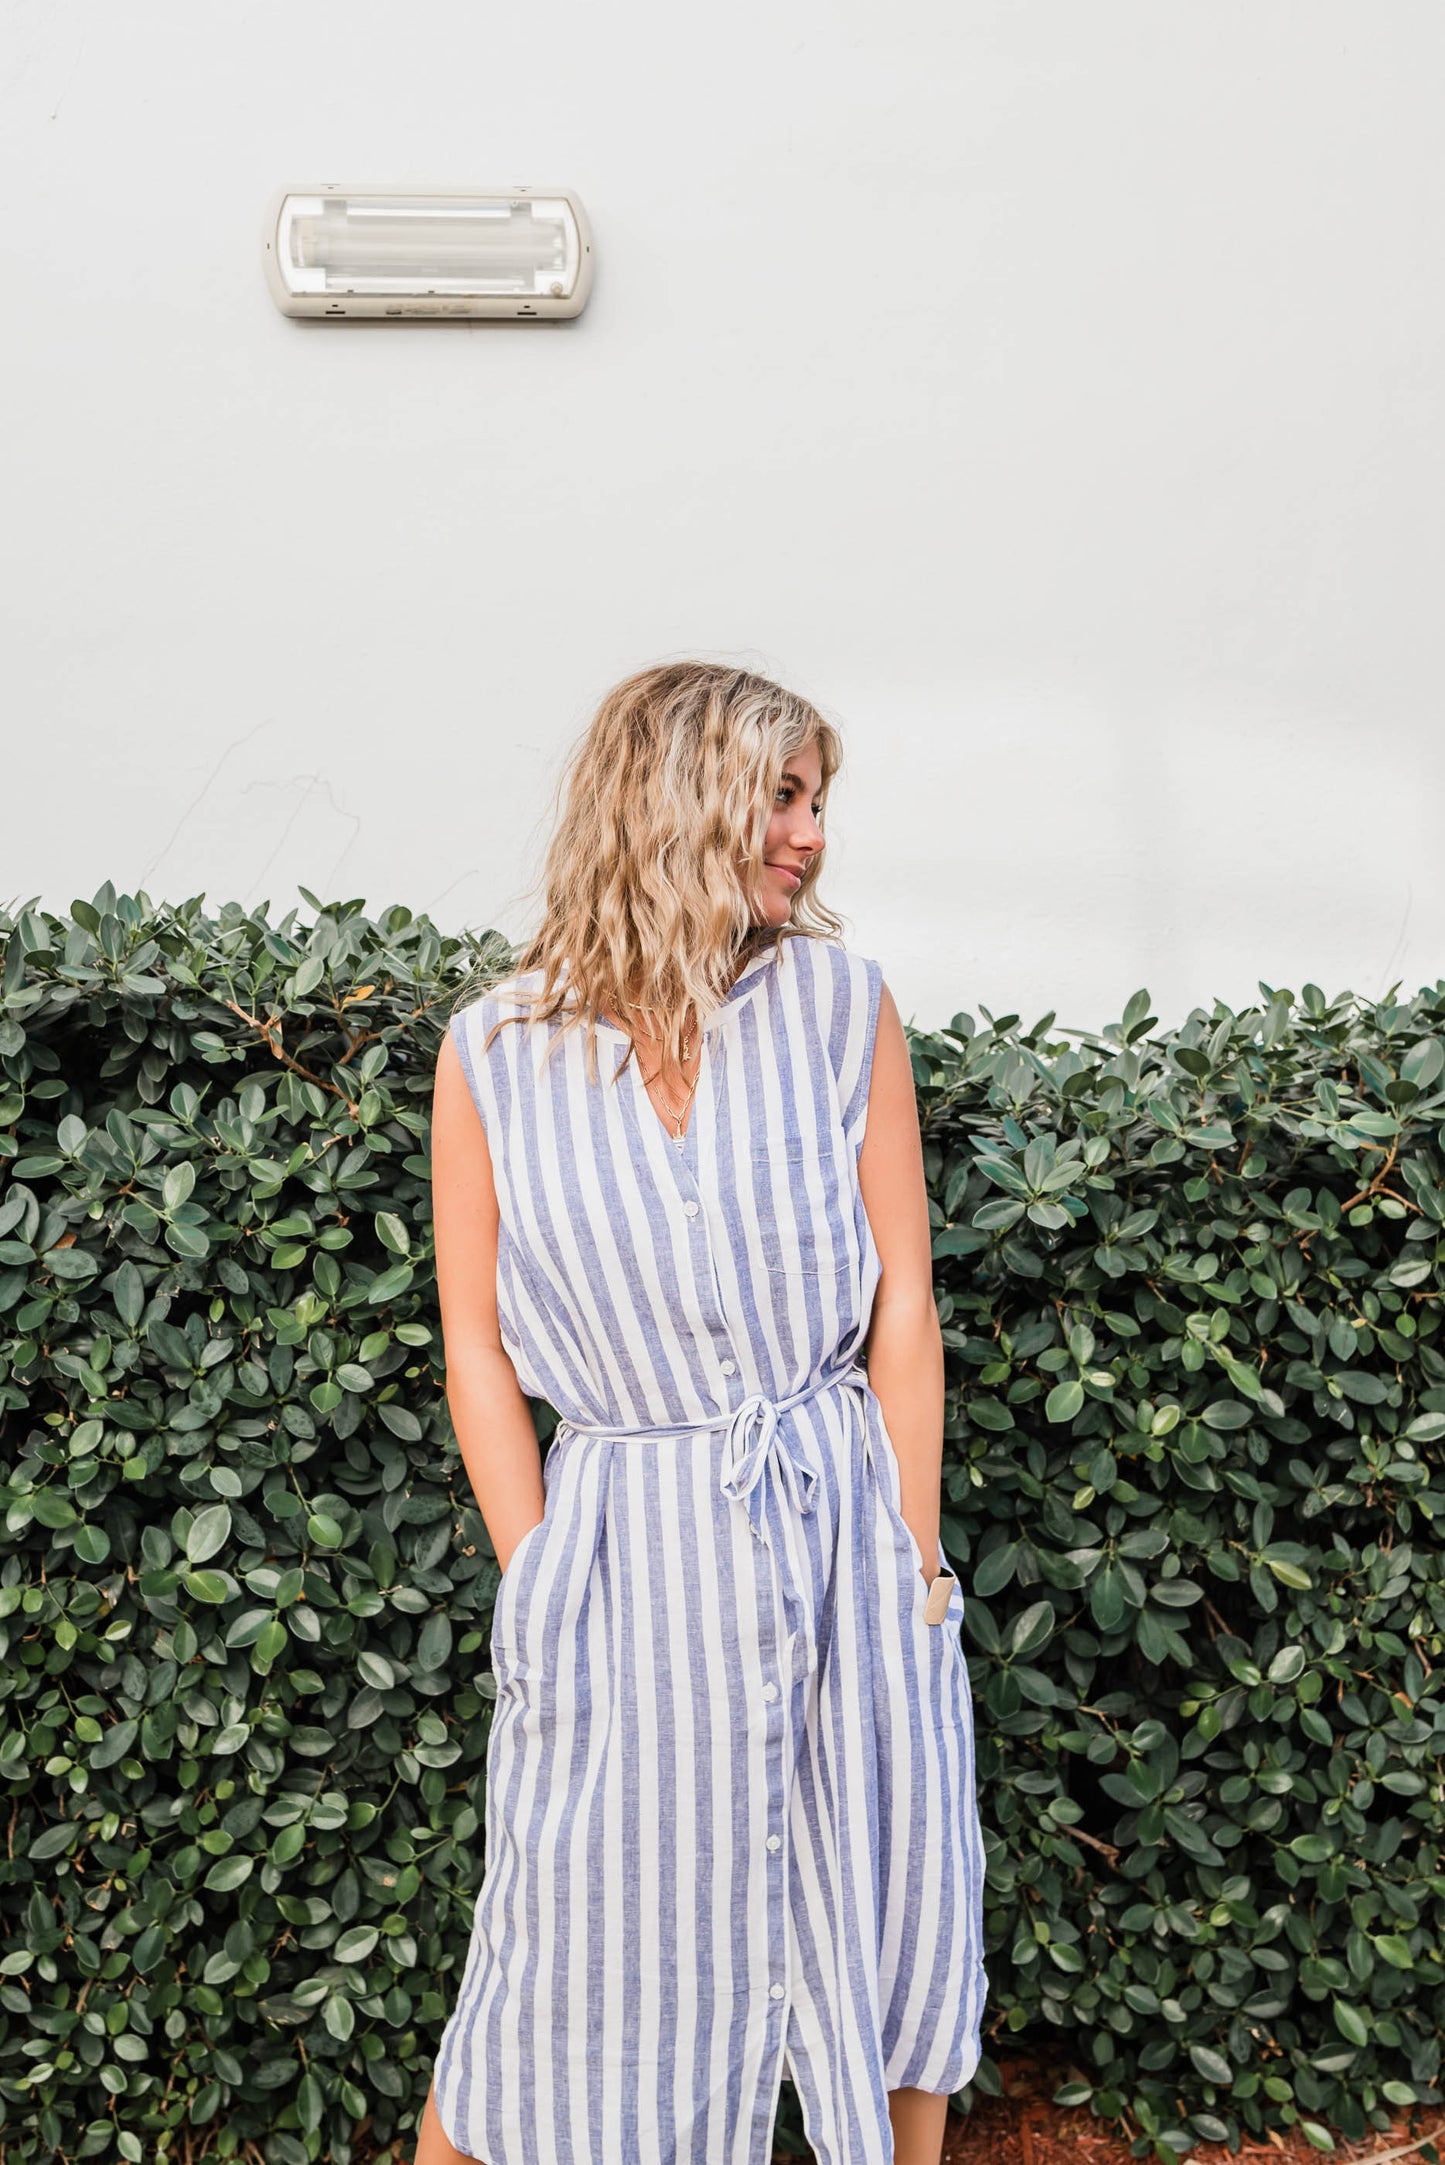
(904, 1339)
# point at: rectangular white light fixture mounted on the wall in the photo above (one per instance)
(452, 254)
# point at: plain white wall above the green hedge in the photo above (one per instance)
(1050, 391)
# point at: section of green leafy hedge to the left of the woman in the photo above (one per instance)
(246, 1588)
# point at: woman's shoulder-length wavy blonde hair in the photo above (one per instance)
(653, 874)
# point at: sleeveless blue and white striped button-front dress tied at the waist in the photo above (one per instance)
(731, 1822)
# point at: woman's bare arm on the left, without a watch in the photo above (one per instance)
(489, 1408)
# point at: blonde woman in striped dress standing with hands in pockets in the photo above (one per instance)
(679, 1190)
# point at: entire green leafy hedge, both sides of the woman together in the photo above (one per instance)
(1190, 1289)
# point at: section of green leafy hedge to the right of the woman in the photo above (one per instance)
(1193, 1296)
